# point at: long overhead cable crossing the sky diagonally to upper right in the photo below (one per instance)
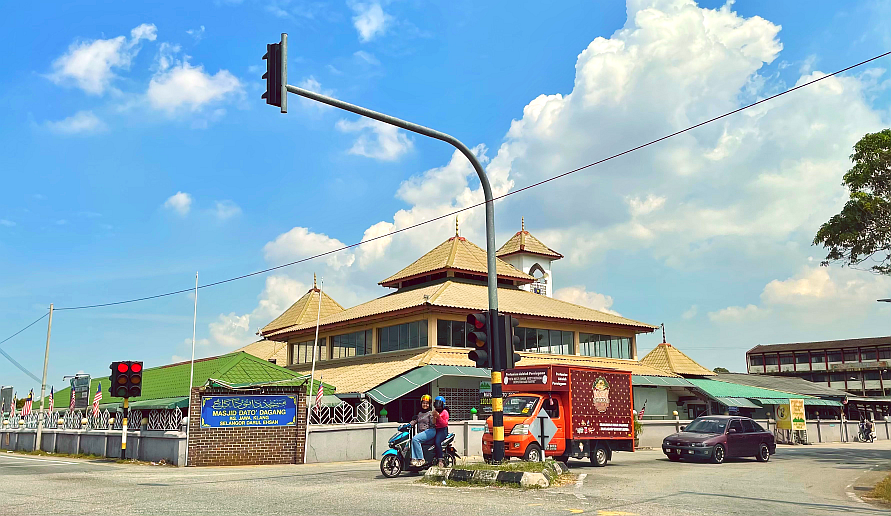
(413, 226)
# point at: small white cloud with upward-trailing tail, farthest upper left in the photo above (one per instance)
(90, 64)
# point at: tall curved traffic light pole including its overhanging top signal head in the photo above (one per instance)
(277, 80)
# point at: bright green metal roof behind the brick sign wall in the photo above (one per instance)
(172, 381)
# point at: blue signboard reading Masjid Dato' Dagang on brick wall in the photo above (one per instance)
(242, 411)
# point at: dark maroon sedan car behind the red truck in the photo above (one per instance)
(716, 438)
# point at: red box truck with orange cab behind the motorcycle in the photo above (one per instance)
(591, 409)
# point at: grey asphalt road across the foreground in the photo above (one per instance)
(802, 480)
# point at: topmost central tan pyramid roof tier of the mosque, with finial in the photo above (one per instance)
(458, 254)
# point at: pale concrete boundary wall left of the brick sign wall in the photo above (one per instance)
(145, 445)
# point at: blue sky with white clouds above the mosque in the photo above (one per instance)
(136, 151)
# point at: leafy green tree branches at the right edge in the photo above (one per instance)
(862, 231)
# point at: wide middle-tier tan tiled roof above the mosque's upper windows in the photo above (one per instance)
(472, 297)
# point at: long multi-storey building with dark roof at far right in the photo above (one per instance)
(858, 366)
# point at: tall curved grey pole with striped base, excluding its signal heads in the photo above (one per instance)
(497, 362)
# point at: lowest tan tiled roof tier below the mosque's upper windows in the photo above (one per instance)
(361, 374)
